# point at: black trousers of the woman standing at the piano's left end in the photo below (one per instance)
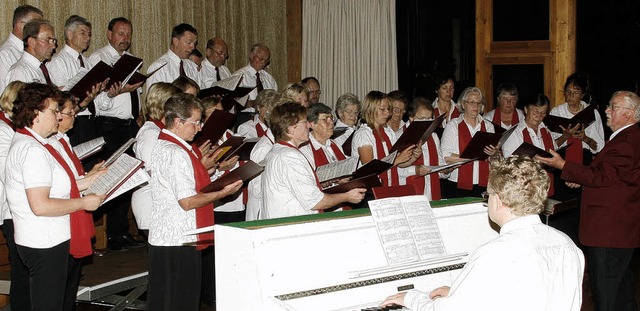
(174, 278)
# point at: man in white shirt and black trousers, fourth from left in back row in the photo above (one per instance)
(118, 110)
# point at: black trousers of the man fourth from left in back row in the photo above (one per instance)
(116, 132)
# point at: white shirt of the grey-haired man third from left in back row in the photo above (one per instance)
(64, 66)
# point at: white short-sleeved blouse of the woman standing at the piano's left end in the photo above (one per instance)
(174, 181)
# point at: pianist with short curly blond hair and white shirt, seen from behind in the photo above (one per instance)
(530, 266)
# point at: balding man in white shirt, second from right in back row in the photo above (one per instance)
(213, 68)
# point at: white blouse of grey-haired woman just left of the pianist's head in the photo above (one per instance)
(449, 143)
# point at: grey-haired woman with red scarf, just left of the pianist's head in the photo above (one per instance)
(471, 178)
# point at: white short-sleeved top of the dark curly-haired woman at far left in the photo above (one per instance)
(30, 165)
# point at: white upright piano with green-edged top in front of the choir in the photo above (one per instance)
(335, 261)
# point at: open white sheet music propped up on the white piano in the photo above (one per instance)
(407, 229)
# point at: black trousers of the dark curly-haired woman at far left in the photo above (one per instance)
(47, 275)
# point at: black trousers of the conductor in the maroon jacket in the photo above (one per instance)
(612, 281)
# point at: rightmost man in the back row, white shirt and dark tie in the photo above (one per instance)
(254, 74)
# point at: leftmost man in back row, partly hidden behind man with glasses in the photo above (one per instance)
(12, 48)
